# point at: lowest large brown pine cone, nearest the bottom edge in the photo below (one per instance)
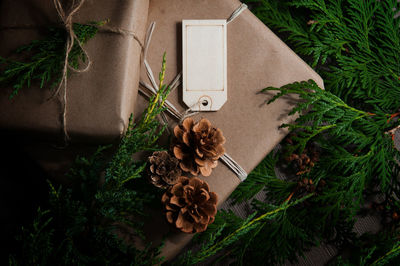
(189, 205)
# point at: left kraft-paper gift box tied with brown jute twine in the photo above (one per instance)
(99, 101)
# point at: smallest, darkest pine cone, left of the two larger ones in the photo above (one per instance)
(164, 169)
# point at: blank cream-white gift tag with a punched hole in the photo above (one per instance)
(204, 64)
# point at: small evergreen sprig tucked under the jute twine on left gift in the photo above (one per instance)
(43, 60)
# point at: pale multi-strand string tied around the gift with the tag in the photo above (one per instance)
(171, 109)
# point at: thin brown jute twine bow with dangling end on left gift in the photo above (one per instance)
(66, 18)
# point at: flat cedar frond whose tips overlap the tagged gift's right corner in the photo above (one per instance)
(329, 113)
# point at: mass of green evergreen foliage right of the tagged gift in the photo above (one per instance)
(352, 44)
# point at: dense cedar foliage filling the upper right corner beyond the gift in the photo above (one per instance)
(353, 44)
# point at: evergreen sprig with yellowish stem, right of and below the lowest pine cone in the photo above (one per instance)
(240, 235)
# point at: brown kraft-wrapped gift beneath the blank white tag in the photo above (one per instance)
(256, 59)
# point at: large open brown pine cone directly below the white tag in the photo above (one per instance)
(198, 146)
